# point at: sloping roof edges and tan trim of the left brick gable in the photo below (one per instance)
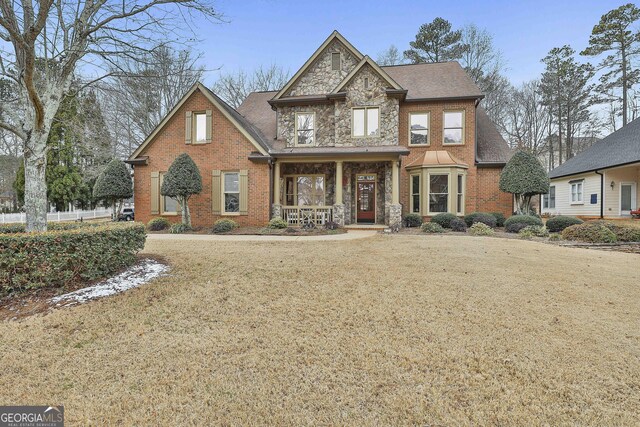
(244, 126)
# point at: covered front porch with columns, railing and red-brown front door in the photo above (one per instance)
(351, 190)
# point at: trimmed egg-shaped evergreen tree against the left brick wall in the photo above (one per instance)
(181, 181)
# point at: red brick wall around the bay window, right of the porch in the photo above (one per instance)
(482, 192)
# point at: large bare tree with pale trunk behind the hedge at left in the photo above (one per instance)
(64, 35)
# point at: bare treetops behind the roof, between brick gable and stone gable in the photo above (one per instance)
(235, 87)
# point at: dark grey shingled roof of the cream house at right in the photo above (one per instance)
(617, 149)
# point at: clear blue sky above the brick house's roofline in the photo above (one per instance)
(287, 32)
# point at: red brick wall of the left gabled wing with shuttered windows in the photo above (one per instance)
(228, 150)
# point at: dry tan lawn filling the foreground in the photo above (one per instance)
(383, 331)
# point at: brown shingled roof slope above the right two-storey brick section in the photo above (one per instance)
(434, 81)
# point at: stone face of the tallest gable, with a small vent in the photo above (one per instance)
(320, 78)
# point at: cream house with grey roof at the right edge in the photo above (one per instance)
(602, 181)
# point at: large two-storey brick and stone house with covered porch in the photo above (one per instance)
(344, 140)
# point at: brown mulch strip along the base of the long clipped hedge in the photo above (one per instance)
(33, 301)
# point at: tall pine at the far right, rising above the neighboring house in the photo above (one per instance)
(614, 34)
